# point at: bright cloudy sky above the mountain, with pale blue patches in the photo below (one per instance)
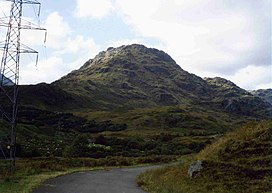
(210, 38)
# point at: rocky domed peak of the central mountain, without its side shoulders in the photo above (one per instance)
(134, 76)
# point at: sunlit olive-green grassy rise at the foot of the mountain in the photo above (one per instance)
(183, 119)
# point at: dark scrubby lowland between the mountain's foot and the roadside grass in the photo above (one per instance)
(140, 132)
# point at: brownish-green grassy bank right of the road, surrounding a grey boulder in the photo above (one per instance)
(238, 162)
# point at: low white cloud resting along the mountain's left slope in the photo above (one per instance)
(59, 63)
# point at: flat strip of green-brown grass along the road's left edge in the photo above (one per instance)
(30, 173)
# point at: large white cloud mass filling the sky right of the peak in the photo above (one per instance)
(206, 37)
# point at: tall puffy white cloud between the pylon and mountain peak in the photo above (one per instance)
(67, 51)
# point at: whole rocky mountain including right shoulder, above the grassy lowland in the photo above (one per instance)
(134, 76)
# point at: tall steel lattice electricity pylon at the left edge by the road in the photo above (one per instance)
(9, 69)
